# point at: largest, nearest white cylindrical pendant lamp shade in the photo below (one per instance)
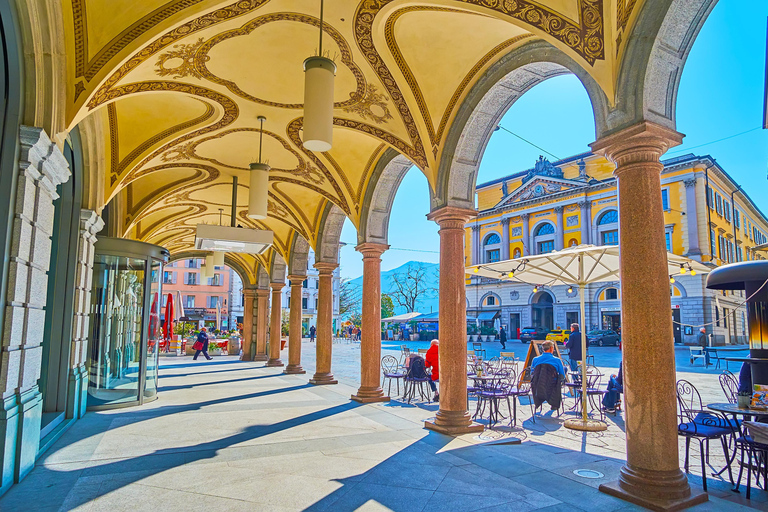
(319, 73)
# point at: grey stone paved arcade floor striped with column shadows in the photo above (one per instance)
(226, 435)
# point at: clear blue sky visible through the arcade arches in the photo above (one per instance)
(720, 95)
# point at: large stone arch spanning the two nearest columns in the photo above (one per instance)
(489, 99)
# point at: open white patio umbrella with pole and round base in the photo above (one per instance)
(575, 266)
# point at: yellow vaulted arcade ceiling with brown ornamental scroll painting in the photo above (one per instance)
(178, 85)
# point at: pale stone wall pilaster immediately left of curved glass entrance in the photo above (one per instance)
(77, 392)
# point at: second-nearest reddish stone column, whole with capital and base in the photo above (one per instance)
(452, 418)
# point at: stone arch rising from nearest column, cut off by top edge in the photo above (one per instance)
(652, 64)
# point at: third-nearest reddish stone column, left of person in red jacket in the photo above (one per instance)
(370, 344)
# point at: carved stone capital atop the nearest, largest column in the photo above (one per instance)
(643, 142)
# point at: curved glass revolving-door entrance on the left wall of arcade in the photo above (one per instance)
(125, 323)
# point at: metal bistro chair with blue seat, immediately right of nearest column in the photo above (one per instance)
(695, 423)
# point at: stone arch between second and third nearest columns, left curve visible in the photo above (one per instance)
(384, 183)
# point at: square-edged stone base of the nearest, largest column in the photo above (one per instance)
(664, 491)
